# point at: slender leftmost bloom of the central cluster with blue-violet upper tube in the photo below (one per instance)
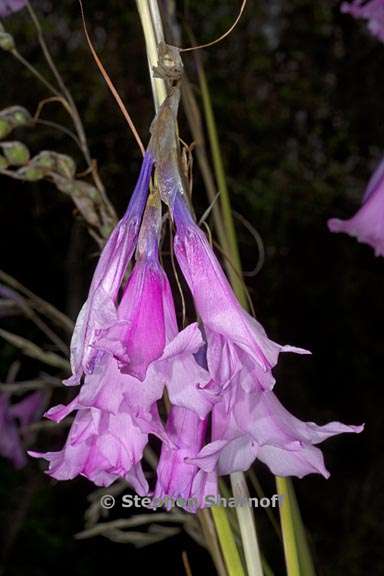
(99, 310)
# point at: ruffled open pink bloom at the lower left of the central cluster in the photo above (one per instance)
(101, 445)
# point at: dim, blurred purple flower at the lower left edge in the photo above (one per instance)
(13, 418)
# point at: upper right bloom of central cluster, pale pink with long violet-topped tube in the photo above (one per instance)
(236, 342)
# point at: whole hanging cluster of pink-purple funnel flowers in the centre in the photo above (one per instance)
(217, 372)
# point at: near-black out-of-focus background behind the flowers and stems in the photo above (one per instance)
(298, 96)
